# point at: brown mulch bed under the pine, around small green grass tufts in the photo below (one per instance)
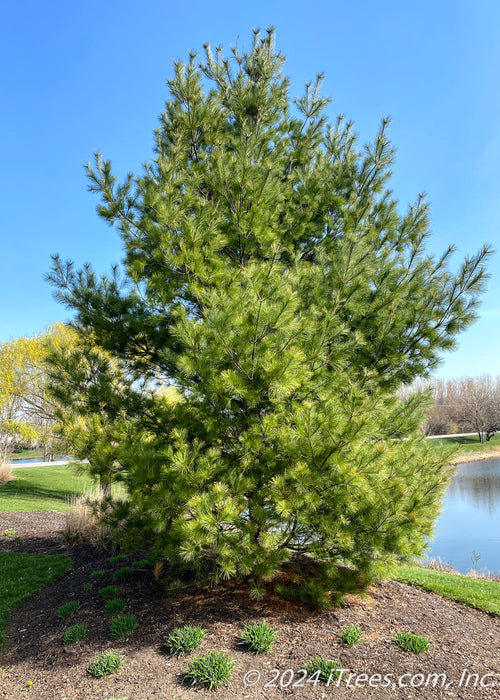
(462, 639)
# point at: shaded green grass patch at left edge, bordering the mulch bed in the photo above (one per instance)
(24, 574)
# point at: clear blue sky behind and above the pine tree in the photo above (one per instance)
(77, 77)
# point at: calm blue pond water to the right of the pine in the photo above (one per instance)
(470, 519)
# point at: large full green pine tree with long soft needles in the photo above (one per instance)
(245, 362)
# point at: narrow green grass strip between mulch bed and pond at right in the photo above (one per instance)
(484, 595)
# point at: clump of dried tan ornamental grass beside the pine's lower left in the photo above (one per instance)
(82, 524)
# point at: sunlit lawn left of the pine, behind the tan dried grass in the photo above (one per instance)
(42, 488)
